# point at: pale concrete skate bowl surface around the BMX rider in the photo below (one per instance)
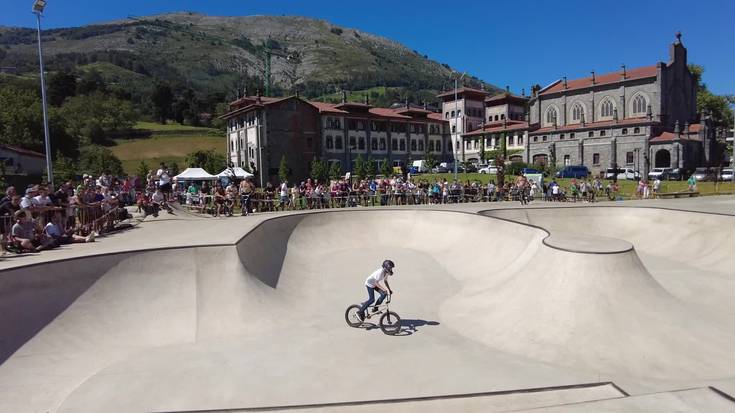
(488, 307)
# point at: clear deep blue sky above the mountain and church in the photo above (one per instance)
(515, 43)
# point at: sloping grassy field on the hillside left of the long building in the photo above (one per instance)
(167, 143)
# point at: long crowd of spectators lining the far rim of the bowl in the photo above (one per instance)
(227, 198)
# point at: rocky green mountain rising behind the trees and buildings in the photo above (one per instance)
(218, 57)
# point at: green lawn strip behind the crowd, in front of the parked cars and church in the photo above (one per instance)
(627, 188)
